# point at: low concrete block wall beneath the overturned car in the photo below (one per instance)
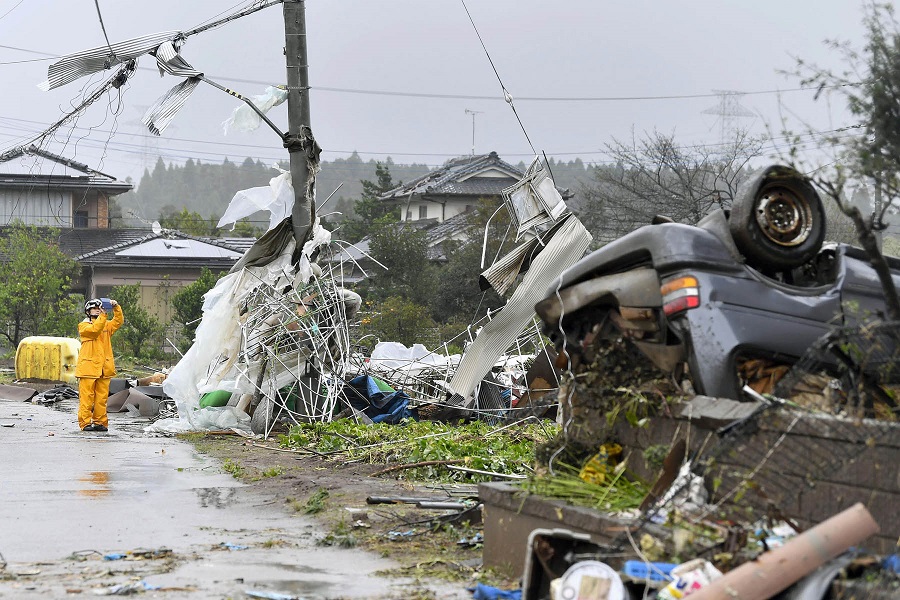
(789, 465)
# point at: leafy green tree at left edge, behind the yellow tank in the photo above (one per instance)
(35, 279)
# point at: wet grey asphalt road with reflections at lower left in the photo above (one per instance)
(64, 491)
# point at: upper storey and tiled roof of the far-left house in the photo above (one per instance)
(40, 188)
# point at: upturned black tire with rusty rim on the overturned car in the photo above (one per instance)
(777, 220)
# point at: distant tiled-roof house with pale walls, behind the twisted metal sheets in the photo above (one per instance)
(455, 188)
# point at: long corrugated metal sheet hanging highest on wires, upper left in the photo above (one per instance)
(73, 66)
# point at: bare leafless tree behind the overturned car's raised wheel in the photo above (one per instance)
(655, 176)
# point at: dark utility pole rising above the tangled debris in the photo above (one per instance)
(299, 140)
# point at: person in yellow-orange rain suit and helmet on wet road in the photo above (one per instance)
(95, 363)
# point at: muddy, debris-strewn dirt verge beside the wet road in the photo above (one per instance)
(428, 544)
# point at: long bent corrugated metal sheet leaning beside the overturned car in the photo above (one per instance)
(566, 246)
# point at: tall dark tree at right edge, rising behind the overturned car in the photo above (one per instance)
(869, 83)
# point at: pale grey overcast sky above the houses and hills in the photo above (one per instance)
(566, 49)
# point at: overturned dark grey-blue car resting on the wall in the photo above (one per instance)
(755, 283)
